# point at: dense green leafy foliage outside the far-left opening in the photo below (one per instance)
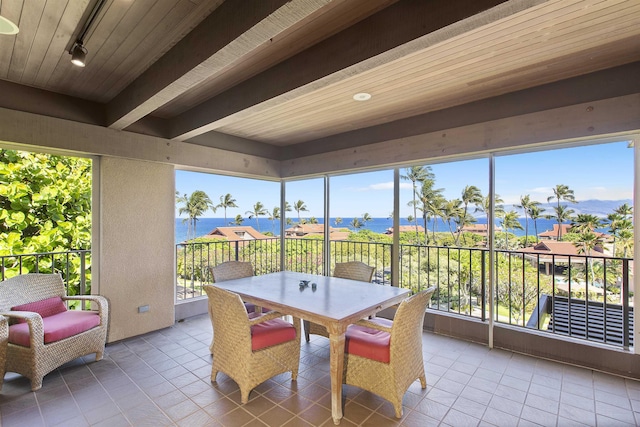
(45, 206)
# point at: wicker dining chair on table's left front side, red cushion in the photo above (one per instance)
(250, 350)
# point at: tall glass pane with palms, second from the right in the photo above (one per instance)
(444, 233)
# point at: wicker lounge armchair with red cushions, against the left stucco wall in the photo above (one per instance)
(41, 357)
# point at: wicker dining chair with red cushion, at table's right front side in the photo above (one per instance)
(385, 357)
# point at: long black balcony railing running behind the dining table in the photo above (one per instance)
(580, 296)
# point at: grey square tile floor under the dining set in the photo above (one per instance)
(163, 379)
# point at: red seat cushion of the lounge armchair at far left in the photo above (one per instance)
(56, 327)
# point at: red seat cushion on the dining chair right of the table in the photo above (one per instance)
(370, 343)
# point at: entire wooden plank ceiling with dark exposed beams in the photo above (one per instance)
(275, 78)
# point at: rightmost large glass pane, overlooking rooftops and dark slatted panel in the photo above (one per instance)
(566, 240)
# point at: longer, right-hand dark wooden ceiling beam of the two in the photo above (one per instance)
(382, 37)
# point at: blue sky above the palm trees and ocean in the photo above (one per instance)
(603, 171)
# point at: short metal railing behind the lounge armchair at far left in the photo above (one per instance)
(74, 266)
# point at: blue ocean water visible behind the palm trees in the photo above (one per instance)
(377, 225)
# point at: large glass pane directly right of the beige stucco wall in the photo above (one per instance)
(221, 218)
